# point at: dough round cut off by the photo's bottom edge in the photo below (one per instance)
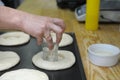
(24, 74)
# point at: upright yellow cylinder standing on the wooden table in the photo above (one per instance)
(92, 14)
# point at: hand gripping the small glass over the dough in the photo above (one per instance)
(40, 27)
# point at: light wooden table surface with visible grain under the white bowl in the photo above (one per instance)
(107, 33)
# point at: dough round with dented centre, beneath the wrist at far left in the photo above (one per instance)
(14, 38)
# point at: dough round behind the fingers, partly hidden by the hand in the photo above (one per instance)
(66, 39)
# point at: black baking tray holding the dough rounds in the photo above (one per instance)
(28, 50)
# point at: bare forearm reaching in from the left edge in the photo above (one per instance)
(10, 18)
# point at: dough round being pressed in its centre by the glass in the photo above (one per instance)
(65, 60)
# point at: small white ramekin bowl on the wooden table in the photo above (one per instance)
(103, 54)
